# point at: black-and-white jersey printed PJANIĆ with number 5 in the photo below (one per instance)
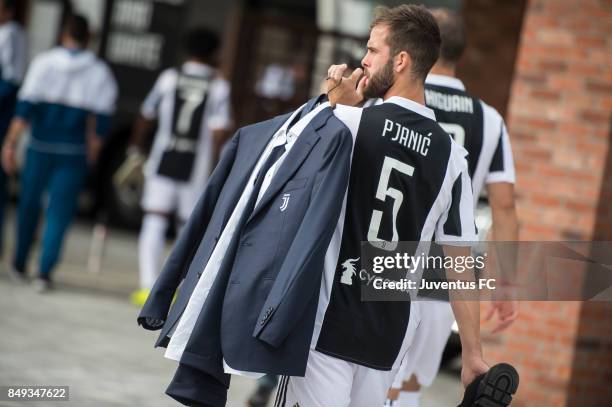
(409, 181)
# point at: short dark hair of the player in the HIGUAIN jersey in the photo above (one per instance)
(452, 32)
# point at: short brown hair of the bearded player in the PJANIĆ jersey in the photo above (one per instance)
(414, 30)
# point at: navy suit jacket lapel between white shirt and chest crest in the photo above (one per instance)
(304, 143)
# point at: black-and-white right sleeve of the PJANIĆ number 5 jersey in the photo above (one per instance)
(456, 227)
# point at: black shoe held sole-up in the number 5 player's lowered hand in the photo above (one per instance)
(493, 388)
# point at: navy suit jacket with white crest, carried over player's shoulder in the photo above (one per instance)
(259, 314)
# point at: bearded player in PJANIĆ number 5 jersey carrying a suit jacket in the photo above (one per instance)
(409, 182)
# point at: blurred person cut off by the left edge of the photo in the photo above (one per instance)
(13, 54)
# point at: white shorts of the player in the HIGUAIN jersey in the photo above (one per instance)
(423, 358)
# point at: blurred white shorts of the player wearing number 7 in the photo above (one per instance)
(164, 195)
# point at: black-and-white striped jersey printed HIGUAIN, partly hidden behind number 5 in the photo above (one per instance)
(476, 126)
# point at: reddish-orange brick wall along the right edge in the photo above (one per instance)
(560, 124)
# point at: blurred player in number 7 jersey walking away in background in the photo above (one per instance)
(192, 106)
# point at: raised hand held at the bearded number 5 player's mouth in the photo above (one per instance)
(346, 91)
